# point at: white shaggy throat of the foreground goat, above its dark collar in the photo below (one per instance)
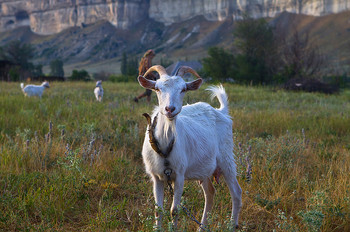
(165, 129)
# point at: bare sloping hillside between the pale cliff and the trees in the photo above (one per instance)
(99, 46)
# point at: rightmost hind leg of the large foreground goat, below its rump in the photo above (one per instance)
(235, 191)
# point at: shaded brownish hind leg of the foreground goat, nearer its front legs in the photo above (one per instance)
(209, 192)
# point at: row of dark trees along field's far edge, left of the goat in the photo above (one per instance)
(16, 65)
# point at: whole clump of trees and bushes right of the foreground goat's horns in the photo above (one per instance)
(264, 55)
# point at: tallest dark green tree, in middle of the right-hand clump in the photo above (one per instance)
(255, 40)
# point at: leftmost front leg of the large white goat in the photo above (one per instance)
(158, 192)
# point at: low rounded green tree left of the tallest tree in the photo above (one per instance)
(220, 64)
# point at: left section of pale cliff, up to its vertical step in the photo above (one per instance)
(53, 16)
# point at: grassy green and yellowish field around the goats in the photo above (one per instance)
(84, 171)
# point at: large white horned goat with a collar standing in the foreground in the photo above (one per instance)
(195, 139)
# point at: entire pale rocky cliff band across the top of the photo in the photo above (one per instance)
(53, 16)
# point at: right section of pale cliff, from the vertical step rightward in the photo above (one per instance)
(172, 11)
